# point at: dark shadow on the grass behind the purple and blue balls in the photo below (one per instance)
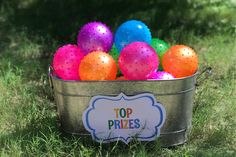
(62, 19)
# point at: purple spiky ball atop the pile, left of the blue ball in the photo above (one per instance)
(95, 36)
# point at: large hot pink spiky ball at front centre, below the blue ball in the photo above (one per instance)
(137, 61)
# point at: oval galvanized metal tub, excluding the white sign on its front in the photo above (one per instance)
(72, 98)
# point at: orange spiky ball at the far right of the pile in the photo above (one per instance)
(180, 61)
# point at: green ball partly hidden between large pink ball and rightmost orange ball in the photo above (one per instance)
(160, 47)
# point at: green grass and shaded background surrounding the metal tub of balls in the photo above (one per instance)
(31, 31)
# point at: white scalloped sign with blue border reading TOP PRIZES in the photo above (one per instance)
(124, 118)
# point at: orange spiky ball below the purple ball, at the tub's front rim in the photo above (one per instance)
(97, 65)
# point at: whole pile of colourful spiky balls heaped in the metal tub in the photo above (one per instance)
(132, 54)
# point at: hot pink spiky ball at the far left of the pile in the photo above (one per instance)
(66, 62)
